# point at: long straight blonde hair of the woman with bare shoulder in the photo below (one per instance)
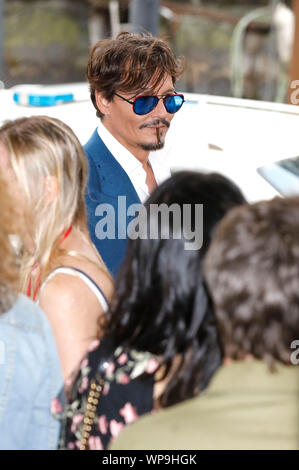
(41, 147)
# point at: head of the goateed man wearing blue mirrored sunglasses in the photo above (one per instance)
(132, 65)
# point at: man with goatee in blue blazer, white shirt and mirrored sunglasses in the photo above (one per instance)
(132, 86)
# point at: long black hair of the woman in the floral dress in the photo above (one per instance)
(161, 304)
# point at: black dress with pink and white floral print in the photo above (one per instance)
(127, 393)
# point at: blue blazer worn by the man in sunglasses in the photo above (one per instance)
(106, 210)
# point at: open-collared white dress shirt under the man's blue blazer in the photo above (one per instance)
(132, 166)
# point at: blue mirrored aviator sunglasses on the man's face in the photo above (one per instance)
(144, 104)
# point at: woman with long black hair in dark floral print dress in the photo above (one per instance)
(160, 328)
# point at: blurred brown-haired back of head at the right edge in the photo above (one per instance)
(252, 271)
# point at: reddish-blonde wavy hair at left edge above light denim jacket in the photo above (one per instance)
(8, 267)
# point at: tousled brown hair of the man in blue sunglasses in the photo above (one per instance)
(128, 64)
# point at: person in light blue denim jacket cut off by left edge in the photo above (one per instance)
(30, 374)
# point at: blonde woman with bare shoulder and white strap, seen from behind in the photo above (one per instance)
(46, 168)
